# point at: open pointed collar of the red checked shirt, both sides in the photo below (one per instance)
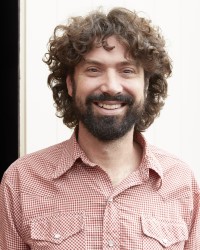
(72, 152)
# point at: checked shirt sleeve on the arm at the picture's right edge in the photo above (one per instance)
(194, 234)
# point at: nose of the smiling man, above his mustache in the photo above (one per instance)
(111, 83)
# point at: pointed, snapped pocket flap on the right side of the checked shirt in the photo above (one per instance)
(166, 231)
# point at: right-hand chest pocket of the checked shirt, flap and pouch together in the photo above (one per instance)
(163, 233)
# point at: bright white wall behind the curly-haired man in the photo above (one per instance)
(176, 130)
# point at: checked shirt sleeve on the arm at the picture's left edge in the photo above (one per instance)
(10, 238)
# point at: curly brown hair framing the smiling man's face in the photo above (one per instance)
(142, 41)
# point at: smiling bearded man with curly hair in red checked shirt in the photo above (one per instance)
(105, 187)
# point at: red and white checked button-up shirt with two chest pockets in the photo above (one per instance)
(57, 199)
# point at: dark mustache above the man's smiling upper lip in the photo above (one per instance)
(106, 97)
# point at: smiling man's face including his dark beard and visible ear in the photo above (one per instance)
(108, 92)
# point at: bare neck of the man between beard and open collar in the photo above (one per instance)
(117, 158)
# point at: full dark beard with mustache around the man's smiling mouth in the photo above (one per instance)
(107, 127)
